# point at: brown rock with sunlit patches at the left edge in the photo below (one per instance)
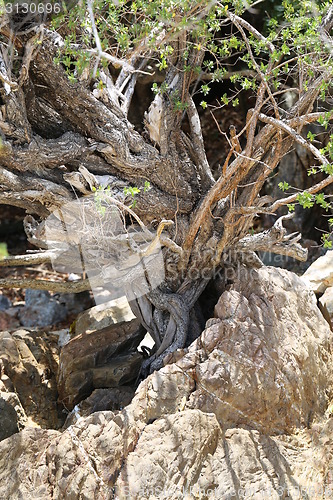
(28, 391)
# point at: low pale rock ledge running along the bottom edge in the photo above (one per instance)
(184, 455)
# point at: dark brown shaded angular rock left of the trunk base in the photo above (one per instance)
(100, 359)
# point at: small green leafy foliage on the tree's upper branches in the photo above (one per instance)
(287, 56)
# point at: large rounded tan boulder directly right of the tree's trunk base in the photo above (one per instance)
(268, 362)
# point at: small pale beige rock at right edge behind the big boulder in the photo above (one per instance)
(319, 275)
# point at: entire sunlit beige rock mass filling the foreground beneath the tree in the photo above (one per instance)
(227, 419)
